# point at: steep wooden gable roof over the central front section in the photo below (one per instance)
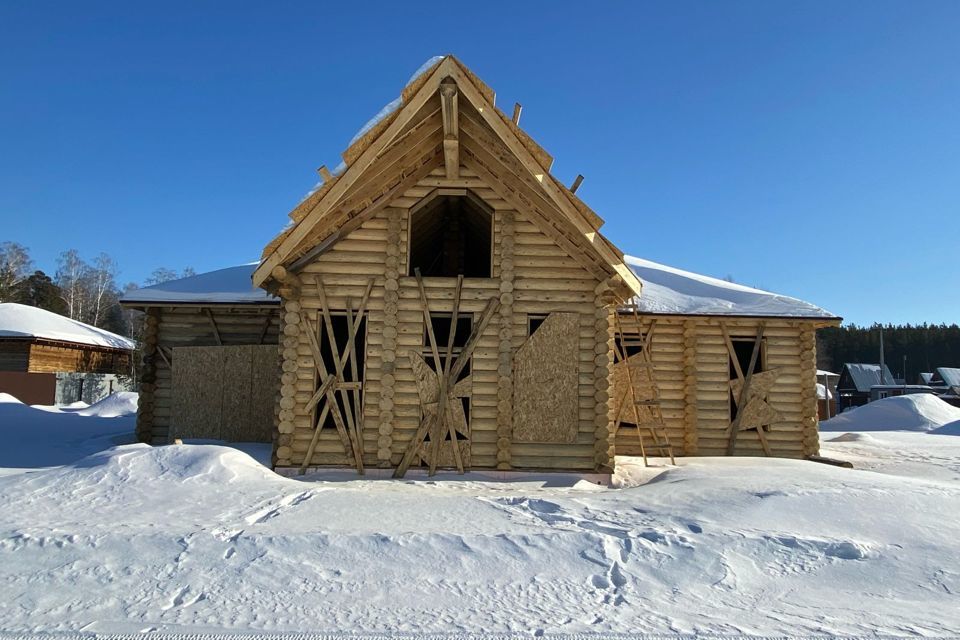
(407, 140)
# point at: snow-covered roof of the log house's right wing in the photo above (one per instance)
(672, 291)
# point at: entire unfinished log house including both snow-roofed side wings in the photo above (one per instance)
(444, 302)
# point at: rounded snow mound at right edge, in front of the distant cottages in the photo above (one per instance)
(915, 412)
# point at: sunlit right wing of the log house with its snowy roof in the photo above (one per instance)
(704, 336)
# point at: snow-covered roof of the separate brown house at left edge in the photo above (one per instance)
(22, 321)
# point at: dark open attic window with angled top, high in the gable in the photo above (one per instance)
(450, 235)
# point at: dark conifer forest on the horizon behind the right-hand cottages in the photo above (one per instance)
(925, 346)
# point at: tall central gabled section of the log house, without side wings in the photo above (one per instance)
(446, 302)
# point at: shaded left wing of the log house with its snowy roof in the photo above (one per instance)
(210, 358)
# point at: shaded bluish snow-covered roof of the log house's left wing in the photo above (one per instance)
(223, 286)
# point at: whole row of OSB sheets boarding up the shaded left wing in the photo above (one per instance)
(224, 393)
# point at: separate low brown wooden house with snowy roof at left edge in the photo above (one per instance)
(46, 358)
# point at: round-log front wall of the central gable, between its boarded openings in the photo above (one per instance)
(531, 275)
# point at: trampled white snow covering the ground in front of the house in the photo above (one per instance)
(195, 538)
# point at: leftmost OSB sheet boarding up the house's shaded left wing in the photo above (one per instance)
(196, 402)
